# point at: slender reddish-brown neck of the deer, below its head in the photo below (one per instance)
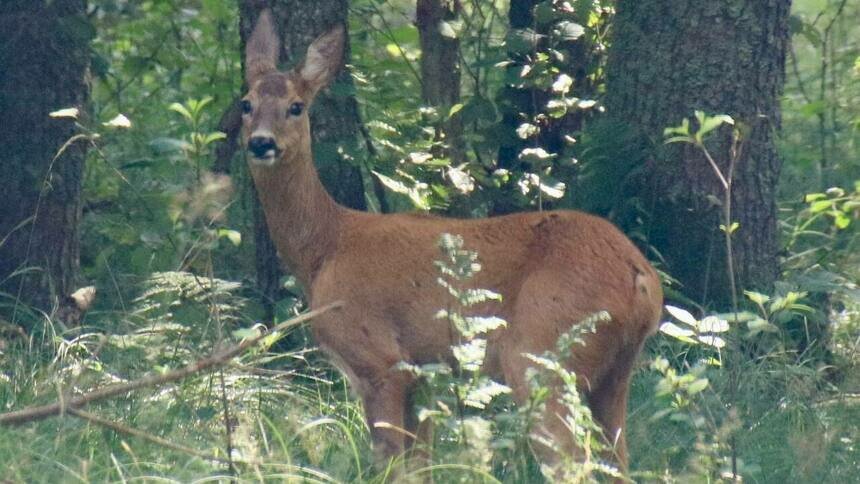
(302, 217)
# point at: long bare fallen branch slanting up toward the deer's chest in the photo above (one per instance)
(216, 359)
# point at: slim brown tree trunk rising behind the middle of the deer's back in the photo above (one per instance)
(440, 70)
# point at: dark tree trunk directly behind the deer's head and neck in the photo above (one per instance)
(334, 118)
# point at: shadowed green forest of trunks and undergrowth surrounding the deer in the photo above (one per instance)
(722, 137)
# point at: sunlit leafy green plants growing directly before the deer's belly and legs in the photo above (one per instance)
(474, 420)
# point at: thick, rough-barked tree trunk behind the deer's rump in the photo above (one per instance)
(668, 59)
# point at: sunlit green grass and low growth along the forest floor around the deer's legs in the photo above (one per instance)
(292, 418)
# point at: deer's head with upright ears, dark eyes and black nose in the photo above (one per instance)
(276, 128)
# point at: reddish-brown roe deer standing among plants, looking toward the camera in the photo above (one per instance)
(553, 269)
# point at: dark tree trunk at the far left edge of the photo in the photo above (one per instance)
(44, 61)
